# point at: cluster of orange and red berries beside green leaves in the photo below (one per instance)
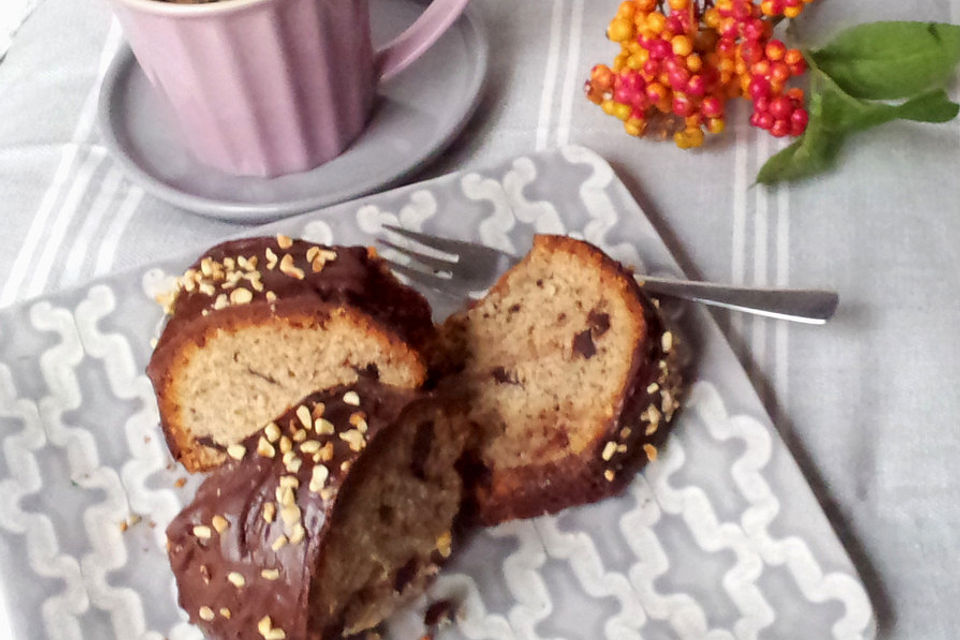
(686, 63)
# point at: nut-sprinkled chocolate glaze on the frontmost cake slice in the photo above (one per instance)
(235, 579)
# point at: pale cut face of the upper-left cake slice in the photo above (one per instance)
(238, 379)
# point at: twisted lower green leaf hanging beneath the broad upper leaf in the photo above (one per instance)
(834, 114)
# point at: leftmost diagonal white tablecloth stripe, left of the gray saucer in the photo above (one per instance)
(38, 230)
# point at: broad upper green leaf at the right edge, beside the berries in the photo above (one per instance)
(890, 60)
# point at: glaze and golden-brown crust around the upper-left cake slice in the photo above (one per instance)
(289, 284)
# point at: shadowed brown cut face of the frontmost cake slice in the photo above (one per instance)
(391, 524)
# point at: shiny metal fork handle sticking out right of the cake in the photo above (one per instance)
(810, 306)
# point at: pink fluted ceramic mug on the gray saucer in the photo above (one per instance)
(269, 87)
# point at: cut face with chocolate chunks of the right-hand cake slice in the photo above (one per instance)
(545, 356)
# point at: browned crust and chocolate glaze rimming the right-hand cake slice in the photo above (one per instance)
(619, 445)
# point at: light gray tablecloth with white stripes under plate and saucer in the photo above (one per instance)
(868, 404)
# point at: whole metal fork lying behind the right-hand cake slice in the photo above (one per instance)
(455, 268)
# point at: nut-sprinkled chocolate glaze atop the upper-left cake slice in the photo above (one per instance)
(268, 270)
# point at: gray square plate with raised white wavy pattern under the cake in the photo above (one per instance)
(720, 538)
